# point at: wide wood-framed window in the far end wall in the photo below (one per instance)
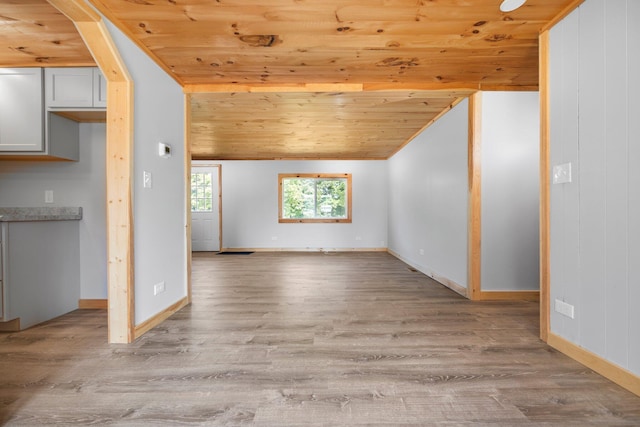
(314, 198)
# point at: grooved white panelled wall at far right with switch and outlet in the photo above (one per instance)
(595, 219)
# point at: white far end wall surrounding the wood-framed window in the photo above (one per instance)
(250, 206)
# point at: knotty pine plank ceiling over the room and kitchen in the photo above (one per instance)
(330, 79)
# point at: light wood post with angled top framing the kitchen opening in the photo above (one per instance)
(119, 165)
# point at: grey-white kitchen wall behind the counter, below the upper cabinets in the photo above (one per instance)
(82, 183)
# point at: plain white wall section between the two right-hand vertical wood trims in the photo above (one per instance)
(510, 146)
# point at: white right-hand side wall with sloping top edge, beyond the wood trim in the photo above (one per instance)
(428, 190)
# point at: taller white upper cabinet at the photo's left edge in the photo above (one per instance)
(21, 112)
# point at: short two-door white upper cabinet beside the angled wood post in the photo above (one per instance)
(79, 87)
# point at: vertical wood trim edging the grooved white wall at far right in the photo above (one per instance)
(545, 243)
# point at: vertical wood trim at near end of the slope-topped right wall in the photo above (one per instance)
(474, 223)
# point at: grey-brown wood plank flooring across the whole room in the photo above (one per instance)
(308, 339)
